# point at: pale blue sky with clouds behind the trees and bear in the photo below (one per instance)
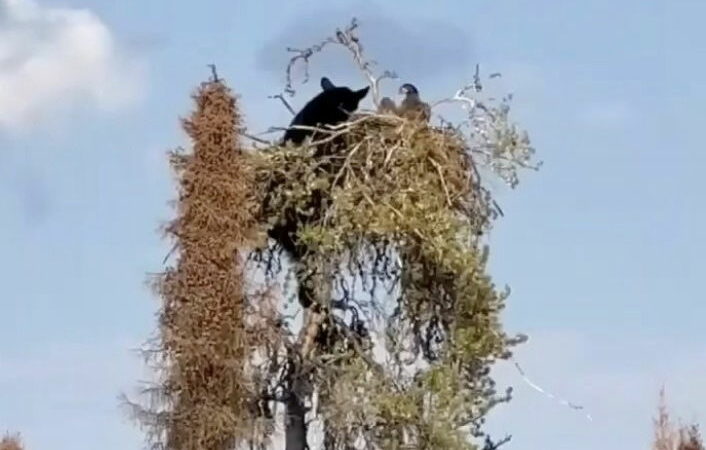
(601, 247)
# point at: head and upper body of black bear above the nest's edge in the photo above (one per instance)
(330, 107)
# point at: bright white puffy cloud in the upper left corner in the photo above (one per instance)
(54, 58)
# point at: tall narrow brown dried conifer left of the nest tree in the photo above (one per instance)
(207, 338)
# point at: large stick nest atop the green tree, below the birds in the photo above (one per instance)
(388, 178)
